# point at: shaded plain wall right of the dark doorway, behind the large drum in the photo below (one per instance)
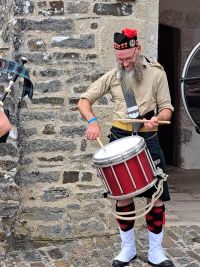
(186, 17)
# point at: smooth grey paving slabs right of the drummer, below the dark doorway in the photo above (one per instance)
(185, 194)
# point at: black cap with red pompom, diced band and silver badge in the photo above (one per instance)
(125, 39)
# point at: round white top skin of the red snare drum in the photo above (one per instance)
(119, 150)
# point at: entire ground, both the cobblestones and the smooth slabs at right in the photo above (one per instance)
(182, 235)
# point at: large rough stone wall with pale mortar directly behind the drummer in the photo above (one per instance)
(68, 45)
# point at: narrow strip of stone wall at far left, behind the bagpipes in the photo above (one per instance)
(9, 194)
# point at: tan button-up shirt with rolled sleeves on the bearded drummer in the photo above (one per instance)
(151, 94)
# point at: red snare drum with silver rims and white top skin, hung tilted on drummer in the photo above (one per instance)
(125, 167)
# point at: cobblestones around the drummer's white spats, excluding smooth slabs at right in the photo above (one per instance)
(182, 245)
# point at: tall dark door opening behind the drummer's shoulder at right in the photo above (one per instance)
(169, 49)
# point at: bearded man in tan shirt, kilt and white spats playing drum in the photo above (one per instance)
(148, 84)
